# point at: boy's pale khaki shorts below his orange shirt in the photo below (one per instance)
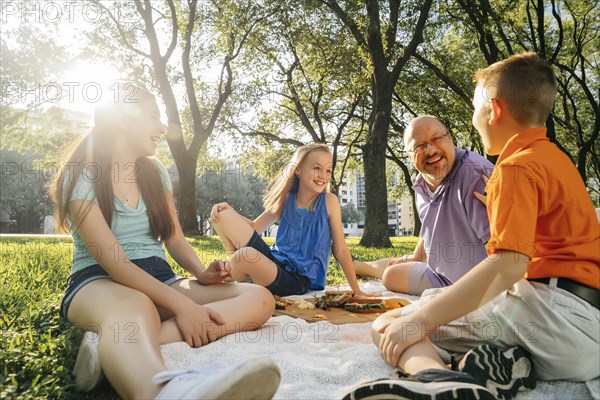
(560, 330)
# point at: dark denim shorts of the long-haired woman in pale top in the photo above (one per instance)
(155, 266)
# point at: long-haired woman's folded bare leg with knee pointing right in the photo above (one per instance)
(242, 306)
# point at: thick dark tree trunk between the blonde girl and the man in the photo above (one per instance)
(376, 220)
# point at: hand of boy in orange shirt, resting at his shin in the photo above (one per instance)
(397, 336)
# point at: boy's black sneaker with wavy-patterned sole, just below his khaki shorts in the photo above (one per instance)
(504, 373)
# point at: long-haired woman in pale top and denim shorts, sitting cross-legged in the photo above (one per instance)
(116, 200)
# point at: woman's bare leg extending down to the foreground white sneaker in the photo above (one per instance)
(128, 327)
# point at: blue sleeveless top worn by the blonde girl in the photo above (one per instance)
(303, 242)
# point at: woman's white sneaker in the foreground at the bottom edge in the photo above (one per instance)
(257, 378)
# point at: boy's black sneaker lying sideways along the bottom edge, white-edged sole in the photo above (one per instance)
(428, 384)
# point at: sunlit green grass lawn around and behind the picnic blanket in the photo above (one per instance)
(38, 348)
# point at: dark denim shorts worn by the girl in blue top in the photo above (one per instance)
(286, 283)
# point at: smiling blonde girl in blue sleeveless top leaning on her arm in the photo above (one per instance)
(310, 219)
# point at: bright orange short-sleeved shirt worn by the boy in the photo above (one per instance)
(538, 205)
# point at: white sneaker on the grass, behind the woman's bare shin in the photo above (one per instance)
(87, 370)
